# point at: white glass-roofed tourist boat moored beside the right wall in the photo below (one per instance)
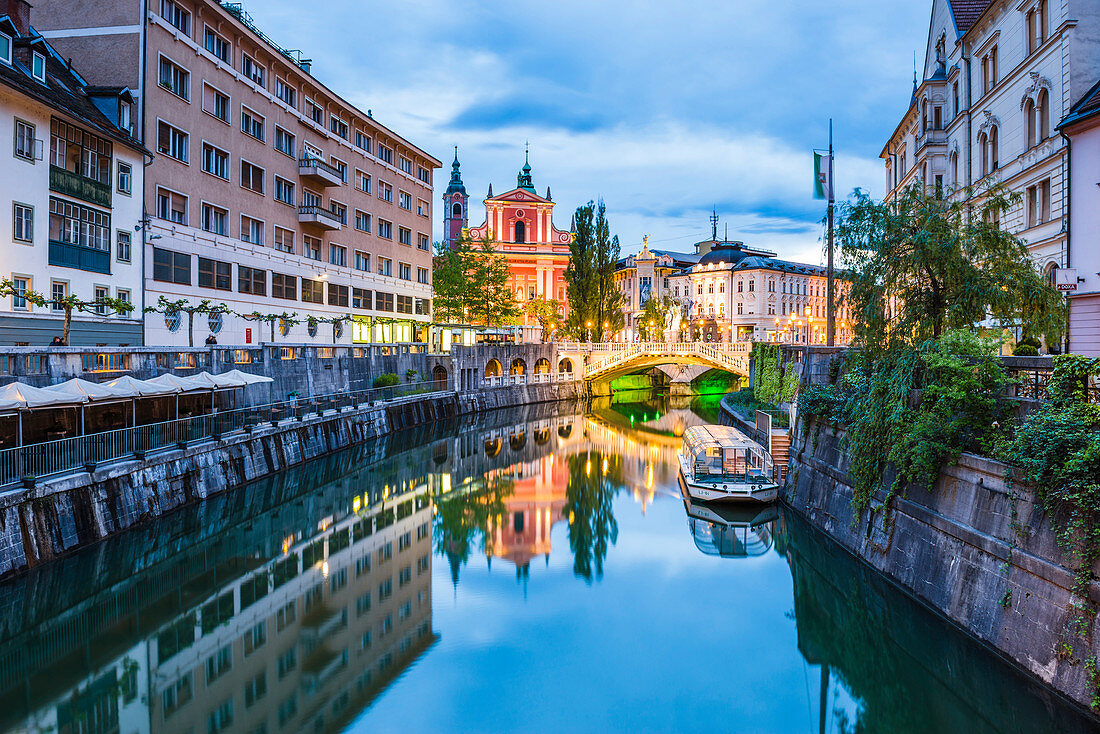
(722, 464)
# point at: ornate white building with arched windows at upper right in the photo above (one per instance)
(997, 79)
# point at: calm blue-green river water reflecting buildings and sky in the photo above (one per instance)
(532, 571)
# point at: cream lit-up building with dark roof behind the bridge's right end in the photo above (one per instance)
(741, 294)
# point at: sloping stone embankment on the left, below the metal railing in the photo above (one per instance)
(73, 511)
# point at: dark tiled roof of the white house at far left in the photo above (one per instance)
(64, 91)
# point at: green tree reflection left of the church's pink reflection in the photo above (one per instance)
(461, 518)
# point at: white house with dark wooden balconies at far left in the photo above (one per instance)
(72, 187)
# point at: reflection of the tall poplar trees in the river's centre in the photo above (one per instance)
(593, 484)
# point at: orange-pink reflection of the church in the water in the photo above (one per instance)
(531, 512)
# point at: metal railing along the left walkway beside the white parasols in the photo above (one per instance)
(68, 455)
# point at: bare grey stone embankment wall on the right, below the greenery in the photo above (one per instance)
(976, 549)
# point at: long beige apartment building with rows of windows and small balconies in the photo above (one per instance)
(270, 193)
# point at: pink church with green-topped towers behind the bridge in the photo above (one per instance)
(520, 224)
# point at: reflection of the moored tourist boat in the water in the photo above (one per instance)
(731, 531)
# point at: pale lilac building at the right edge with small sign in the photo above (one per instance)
(1082, 279)
